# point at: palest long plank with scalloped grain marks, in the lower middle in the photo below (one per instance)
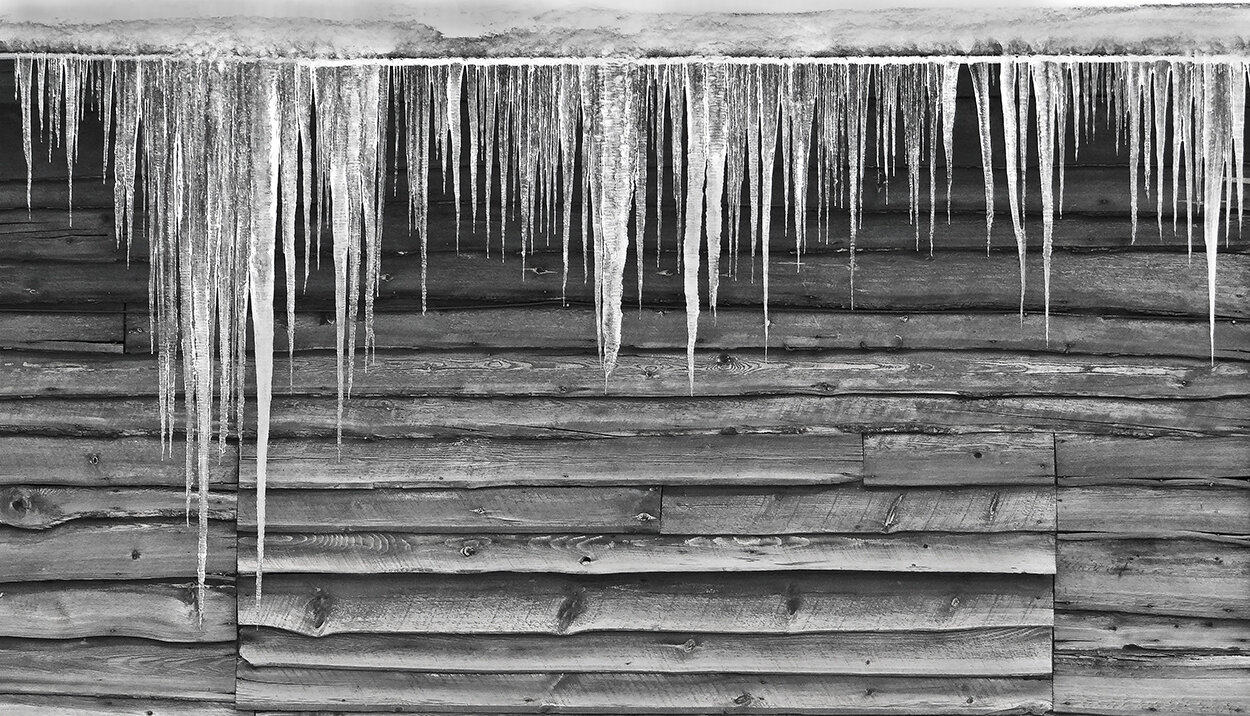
(397, 553)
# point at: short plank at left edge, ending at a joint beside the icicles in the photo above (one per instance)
(99, 331)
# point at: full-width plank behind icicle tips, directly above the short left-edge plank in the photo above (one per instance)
(1134, 284)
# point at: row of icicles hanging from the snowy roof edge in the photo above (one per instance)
(237, 154)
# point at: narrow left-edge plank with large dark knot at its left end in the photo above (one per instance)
(39, 508)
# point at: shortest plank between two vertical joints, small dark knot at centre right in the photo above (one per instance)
(941, 460)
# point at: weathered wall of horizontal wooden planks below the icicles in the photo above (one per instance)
(916, 508)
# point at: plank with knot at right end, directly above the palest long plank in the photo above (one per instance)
(491, 509)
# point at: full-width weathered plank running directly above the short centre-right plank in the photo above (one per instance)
(533, 418)
